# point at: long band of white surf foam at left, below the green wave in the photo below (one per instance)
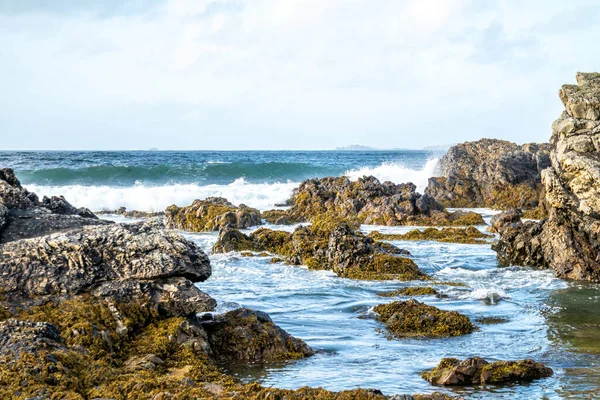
(156, 198)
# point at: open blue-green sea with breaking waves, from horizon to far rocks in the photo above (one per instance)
(153, 180)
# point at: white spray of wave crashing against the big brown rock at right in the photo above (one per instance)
(397, 173)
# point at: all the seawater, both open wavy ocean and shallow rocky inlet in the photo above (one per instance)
(547, 319)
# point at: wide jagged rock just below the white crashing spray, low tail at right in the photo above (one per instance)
(371, 202)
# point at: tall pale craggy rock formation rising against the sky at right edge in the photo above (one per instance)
(568, 241)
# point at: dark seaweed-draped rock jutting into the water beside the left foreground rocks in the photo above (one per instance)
(244, 335)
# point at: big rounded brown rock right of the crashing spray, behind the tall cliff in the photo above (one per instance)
(491, 173)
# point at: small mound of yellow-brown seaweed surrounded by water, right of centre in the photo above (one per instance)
(414, 319)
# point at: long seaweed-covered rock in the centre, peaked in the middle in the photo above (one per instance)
(329, 244)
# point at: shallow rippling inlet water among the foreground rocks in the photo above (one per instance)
(334, 316)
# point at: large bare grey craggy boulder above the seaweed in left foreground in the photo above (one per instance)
(117, 262)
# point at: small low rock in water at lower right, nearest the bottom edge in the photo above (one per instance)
(473, 371)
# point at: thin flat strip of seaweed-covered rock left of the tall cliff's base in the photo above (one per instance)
(469, 235)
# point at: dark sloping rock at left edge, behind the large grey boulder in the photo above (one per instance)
(23, 216)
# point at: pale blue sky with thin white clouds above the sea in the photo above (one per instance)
(286, 74)
